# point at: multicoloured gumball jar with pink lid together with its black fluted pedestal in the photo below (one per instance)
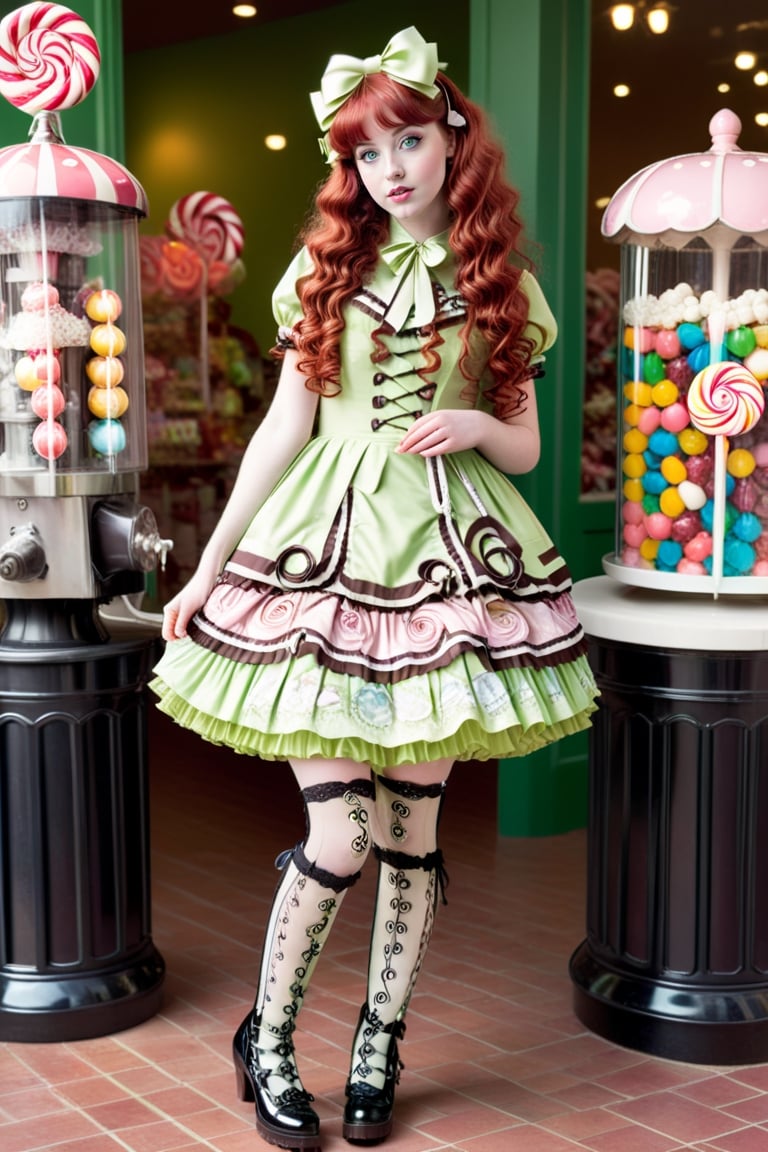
(675, 961)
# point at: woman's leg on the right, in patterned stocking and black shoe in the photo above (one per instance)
(412, 878)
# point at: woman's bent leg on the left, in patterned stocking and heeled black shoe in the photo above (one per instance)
(315, 881)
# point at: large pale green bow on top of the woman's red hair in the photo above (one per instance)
(407, 59)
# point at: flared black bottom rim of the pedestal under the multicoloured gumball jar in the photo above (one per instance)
(706, 1026)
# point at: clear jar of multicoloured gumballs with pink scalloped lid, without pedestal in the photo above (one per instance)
(693, 478)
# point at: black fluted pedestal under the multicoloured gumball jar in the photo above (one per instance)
(675, 961)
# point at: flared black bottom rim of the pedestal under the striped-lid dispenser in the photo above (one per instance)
(45, 1010)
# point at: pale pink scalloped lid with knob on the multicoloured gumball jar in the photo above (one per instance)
(725, 190)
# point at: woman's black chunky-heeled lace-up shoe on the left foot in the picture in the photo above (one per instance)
(286, 1118)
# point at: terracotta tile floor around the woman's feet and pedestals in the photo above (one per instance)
(496, 1059)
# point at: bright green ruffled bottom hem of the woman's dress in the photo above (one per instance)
(470, 741)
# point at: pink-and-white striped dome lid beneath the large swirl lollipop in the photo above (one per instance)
(48, 168)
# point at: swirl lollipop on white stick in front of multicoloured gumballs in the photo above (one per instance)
(724, 400)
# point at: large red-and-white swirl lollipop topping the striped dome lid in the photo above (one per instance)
(49, 58)
